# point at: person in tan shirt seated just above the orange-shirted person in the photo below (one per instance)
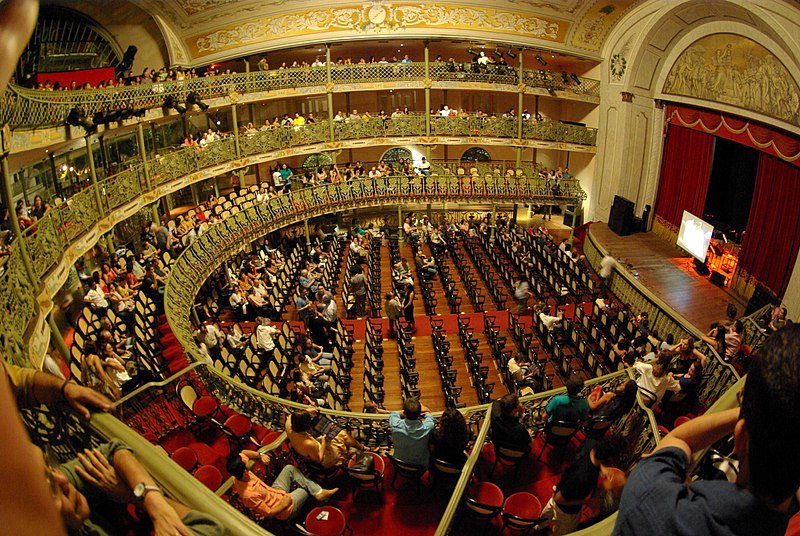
(326, 452)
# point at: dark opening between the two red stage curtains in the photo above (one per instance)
(730, 190)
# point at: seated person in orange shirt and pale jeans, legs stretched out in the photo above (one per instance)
(276, 501)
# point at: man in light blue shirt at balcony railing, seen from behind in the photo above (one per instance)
(411, 429)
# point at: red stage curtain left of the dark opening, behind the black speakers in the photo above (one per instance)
(685, 173)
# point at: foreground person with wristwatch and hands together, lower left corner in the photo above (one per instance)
(92, 492)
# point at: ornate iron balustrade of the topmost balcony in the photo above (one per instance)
(30, 108)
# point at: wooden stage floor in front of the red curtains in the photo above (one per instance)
(669, 273)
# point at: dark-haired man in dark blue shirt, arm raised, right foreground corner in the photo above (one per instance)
(766, 430)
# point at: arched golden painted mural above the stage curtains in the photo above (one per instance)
(735, 70)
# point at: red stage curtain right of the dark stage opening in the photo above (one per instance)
(770, 246)
